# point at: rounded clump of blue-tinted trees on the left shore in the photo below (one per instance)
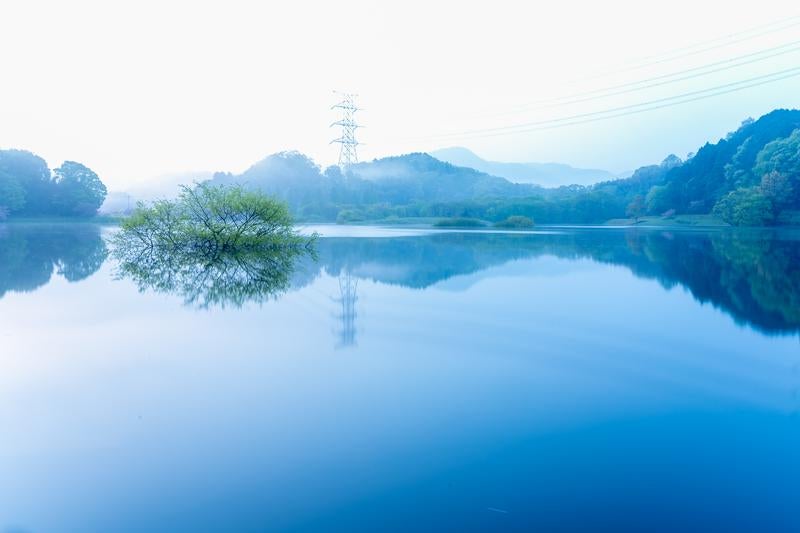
(28, 188)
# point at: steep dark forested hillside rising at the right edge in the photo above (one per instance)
(751, 177)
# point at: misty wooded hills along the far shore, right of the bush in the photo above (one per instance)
(751, 177)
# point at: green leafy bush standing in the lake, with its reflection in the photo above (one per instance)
(214, 245)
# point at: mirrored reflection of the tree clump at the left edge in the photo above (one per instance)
(29, 253)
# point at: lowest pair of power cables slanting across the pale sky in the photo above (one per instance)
(621, 111)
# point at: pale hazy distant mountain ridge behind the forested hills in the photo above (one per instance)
(544, 174)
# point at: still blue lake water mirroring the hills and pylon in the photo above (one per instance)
(564, 380)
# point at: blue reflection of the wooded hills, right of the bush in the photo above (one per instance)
(753, 276)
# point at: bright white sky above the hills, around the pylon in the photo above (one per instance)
(140, 89)
